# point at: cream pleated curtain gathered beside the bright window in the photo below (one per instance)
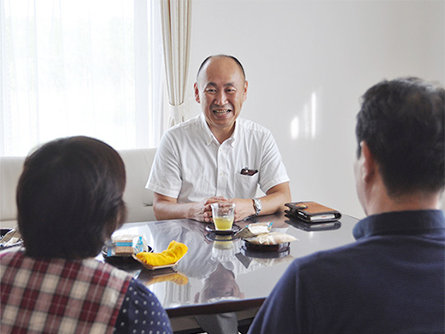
(176, 35)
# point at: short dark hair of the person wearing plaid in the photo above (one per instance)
(69, 198)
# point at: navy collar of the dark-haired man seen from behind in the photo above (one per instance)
(402, 223)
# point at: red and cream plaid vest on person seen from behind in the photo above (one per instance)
(59, 295)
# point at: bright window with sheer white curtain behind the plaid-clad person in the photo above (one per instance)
(80, 67)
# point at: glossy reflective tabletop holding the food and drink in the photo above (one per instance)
(219, 268)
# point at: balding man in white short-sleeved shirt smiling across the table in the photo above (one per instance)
(218, 156)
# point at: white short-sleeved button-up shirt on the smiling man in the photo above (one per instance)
(191, 165)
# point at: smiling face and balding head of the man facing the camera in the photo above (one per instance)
(221, 90)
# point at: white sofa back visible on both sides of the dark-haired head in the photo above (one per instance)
(139, 200)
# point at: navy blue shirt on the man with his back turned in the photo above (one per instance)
(391, 280)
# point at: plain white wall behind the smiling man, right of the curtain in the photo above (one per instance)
(308, 62)
